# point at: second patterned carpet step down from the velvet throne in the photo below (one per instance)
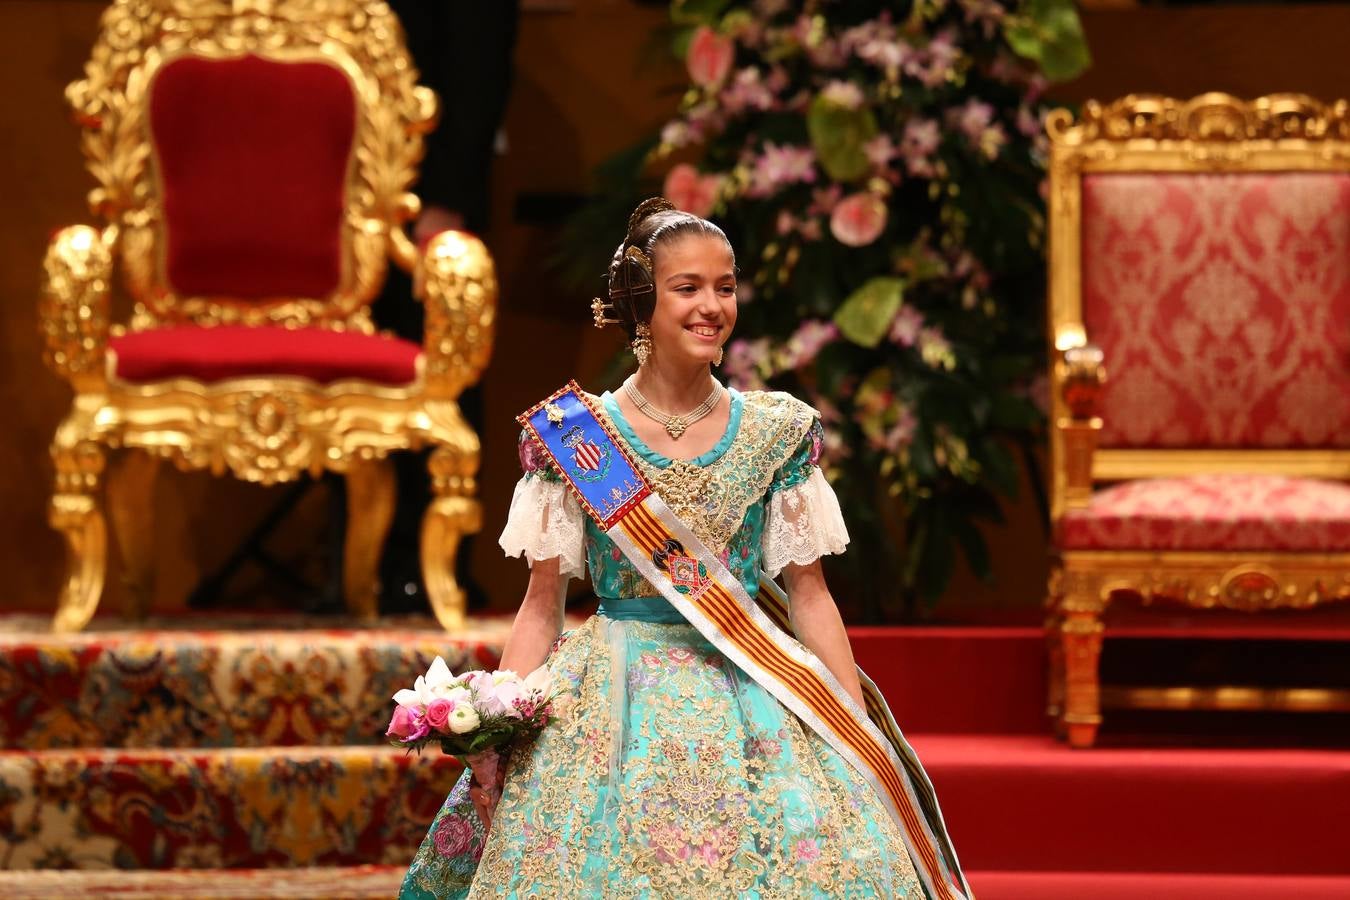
(218, 809)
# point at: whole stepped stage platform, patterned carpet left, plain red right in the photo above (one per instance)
(244, 758)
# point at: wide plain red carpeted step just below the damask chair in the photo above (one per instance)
(1027, 804)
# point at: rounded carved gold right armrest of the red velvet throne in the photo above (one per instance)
(458, 287)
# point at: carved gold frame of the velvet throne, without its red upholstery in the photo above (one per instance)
(260, 428)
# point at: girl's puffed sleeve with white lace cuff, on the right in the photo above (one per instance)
(804, 520)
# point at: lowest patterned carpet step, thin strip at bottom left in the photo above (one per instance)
(353, 883)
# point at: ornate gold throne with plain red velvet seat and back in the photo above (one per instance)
(253, 161)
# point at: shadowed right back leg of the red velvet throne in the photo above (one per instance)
(371, 509)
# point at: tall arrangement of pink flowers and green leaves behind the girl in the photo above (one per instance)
(880, 171)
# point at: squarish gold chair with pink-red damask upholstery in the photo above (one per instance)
(1201, 373)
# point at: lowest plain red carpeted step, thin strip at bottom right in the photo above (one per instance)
(1154, 886)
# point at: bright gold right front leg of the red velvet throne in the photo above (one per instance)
(453, 515)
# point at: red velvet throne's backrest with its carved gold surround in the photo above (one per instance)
(257, 159)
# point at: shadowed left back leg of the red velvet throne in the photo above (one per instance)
(132, 488)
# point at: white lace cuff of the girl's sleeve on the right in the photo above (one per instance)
(804, 524)
